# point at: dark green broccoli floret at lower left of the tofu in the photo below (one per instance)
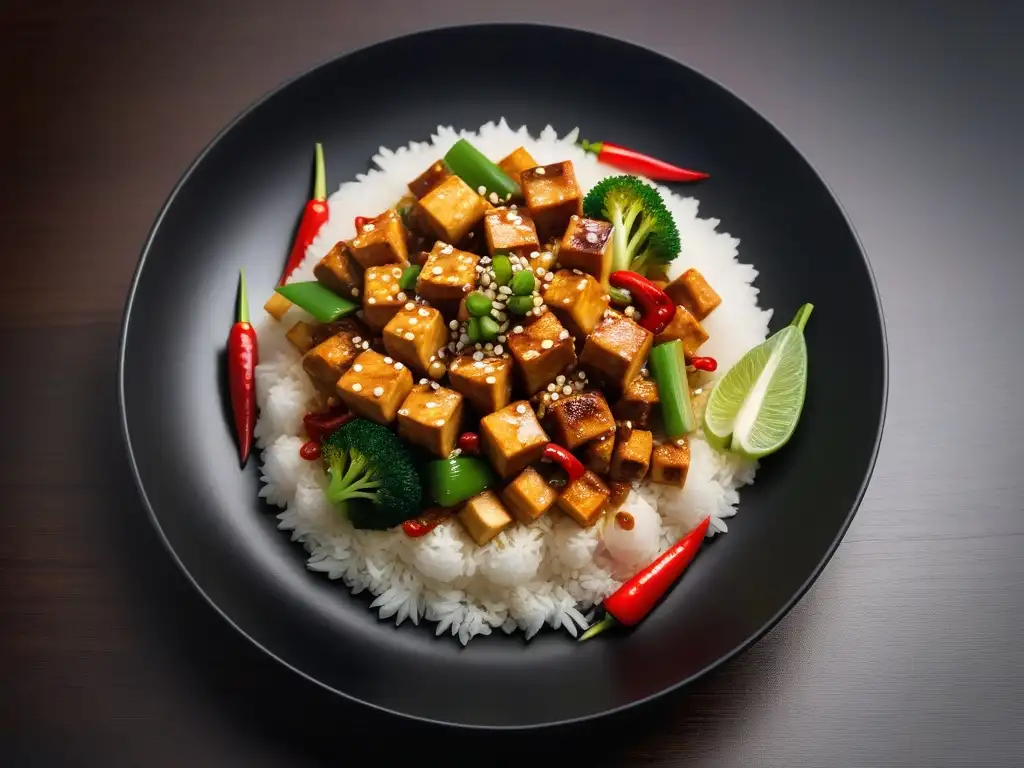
(373, 477)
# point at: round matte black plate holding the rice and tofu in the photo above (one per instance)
(238, 206)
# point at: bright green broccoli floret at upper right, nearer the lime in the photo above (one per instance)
(646, 233)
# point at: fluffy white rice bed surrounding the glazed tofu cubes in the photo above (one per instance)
(552, 572)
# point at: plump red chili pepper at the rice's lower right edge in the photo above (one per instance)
(630, 604)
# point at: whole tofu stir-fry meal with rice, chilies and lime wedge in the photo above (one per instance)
(496, 400)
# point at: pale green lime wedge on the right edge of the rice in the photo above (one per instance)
(754, 410)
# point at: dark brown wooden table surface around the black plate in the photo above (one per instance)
(907, 652)
